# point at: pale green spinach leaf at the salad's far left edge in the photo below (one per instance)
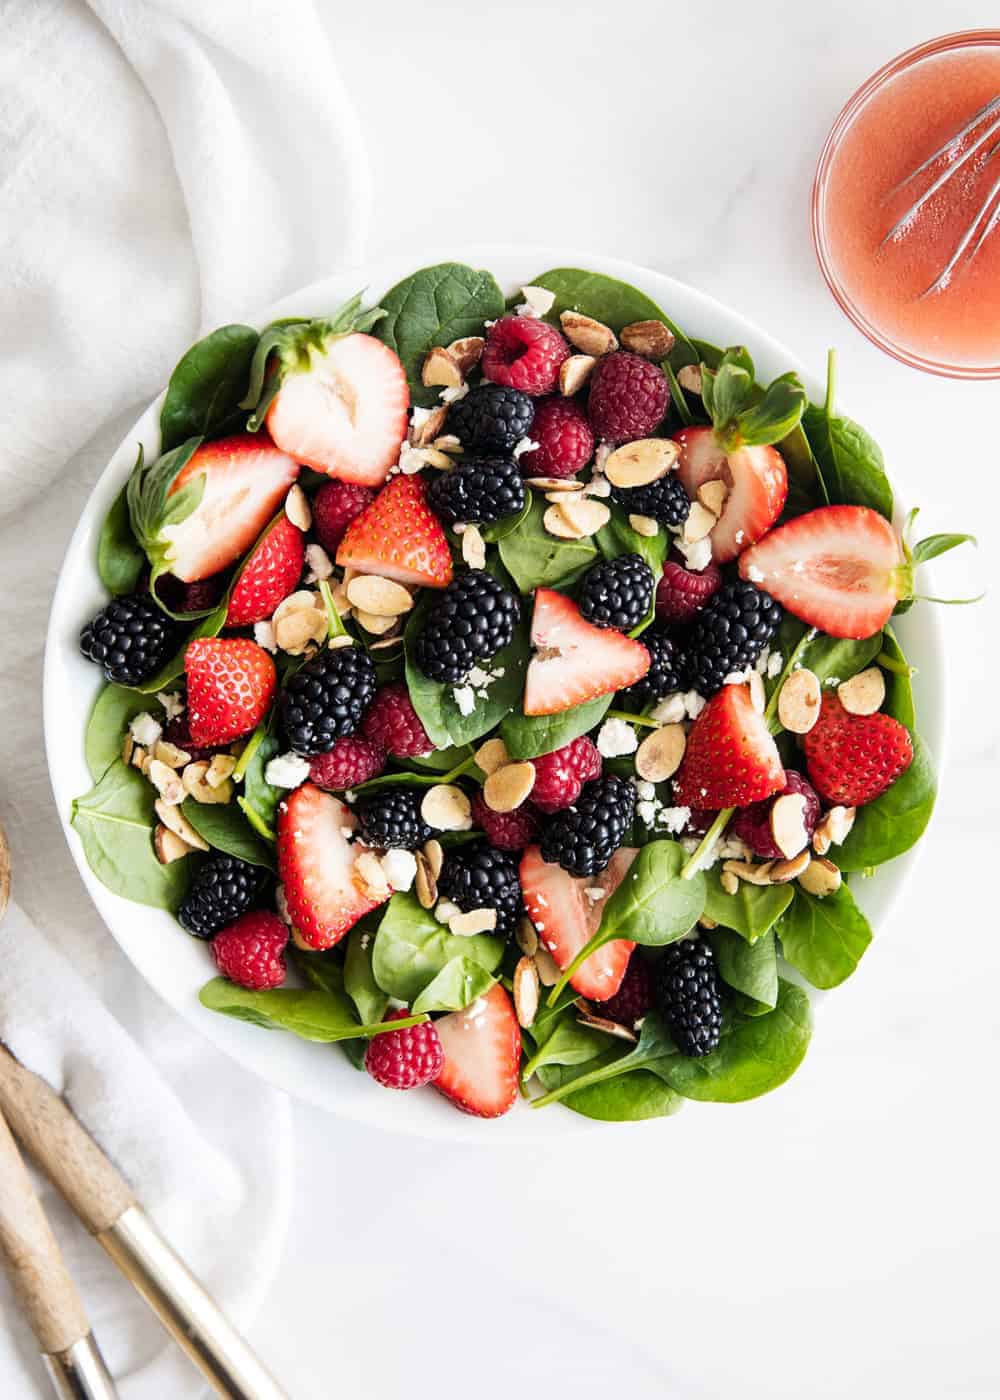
(116, 824)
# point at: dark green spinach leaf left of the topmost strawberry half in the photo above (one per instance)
(207, 386)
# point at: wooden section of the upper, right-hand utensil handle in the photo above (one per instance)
(65, 1151)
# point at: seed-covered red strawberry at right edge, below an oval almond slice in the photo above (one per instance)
(854, 758)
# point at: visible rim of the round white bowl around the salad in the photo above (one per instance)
(177, 965)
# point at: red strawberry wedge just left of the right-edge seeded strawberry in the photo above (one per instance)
(732, 758)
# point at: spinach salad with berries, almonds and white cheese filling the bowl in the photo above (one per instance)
(505, 691)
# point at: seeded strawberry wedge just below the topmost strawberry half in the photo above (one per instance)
(398, 537)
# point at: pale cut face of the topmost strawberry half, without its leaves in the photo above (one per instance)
(345, 411)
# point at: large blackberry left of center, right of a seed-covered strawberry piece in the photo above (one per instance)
(327, 698)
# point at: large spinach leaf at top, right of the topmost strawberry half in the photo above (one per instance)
(433, 307)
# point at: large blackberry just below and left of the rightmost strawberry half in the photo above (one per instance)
(729, 635)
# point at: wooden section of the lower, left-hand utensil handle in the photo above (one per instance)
(41, 1282)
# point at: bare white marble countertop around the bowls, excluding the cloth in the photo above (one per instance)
(841, 1235)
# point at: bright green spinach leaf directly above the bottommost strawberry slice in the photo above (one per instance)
(411, 950)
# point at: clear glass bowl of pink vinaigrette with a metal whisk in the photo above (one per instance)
(887, 132)
